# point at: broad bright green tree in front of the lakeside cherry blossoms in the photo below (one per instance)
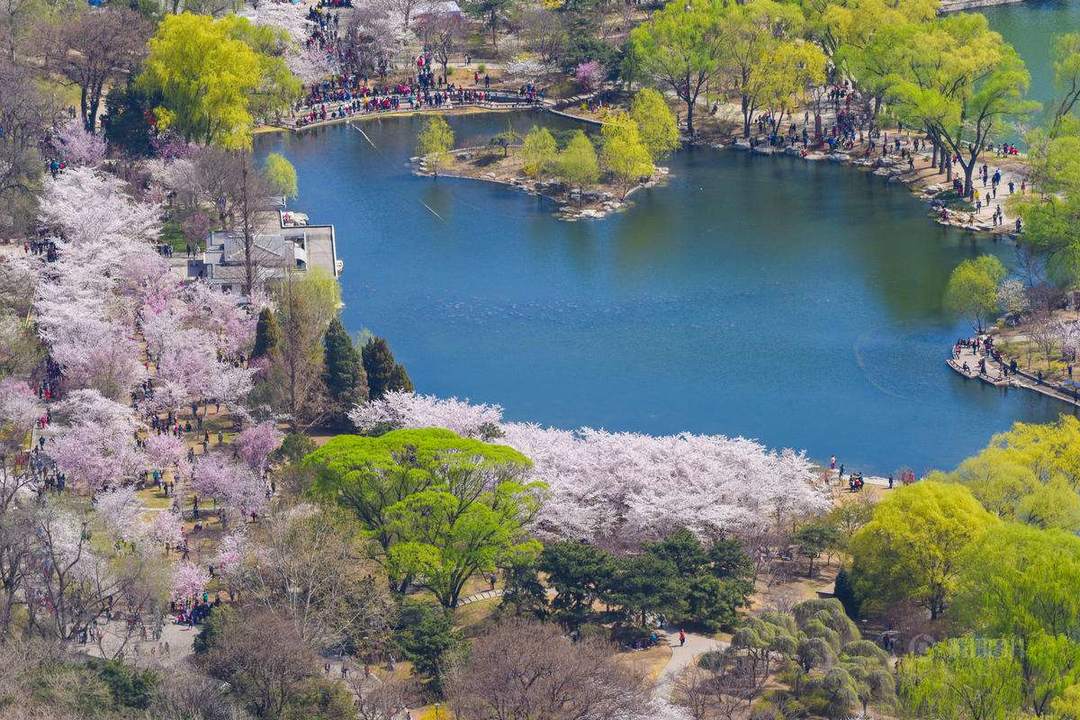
(442, 508)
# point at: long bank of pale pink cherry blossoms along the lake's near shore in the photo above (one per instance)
(629, 486)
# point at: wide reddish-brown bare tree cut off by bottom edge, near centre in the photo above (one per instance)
(522, 671)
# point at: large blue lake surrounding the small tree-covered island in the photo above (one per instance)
(794, 303)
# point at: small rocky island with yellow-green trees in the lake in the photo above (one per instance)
(588, 176)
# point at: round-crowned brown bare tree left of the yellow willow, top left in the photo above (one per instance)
(96, 49)
